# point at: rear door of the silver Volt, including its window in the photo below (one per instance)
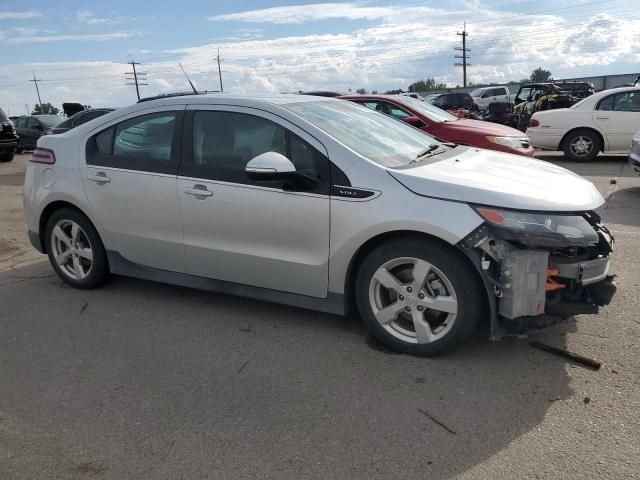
(130, 176)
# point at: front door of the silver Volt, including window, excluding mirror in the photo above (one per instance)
(265, 234)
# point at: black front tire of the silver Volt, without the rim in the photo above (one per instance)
(460, 275)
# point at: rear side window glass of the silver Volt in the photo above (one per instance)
(143, 143)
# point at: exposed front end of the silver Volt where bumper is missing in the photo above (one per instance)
(519, 282)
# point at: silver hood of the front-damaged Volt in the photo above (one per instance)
(499, 179)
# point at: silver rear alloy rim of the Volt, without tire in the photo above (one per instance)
(71, 249)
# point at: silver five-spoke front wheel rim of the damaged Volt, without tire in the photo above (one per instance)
(413, 300)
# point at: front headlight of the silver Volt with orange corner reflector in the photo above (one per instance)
(541, 229)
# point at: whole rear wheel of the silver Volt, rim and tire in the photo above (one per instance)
(75, 249)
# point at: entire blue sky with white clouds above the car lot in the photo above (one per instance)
(80, 49)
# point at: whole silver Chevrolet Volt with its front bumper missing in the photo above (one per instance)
(322, 204)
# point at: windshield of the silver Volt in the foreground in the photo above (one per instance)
(377, 137)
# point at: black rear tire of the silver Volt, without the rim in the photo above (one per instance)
(99, 269)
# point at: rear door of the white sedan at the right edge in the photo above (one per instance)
(618, 116)
